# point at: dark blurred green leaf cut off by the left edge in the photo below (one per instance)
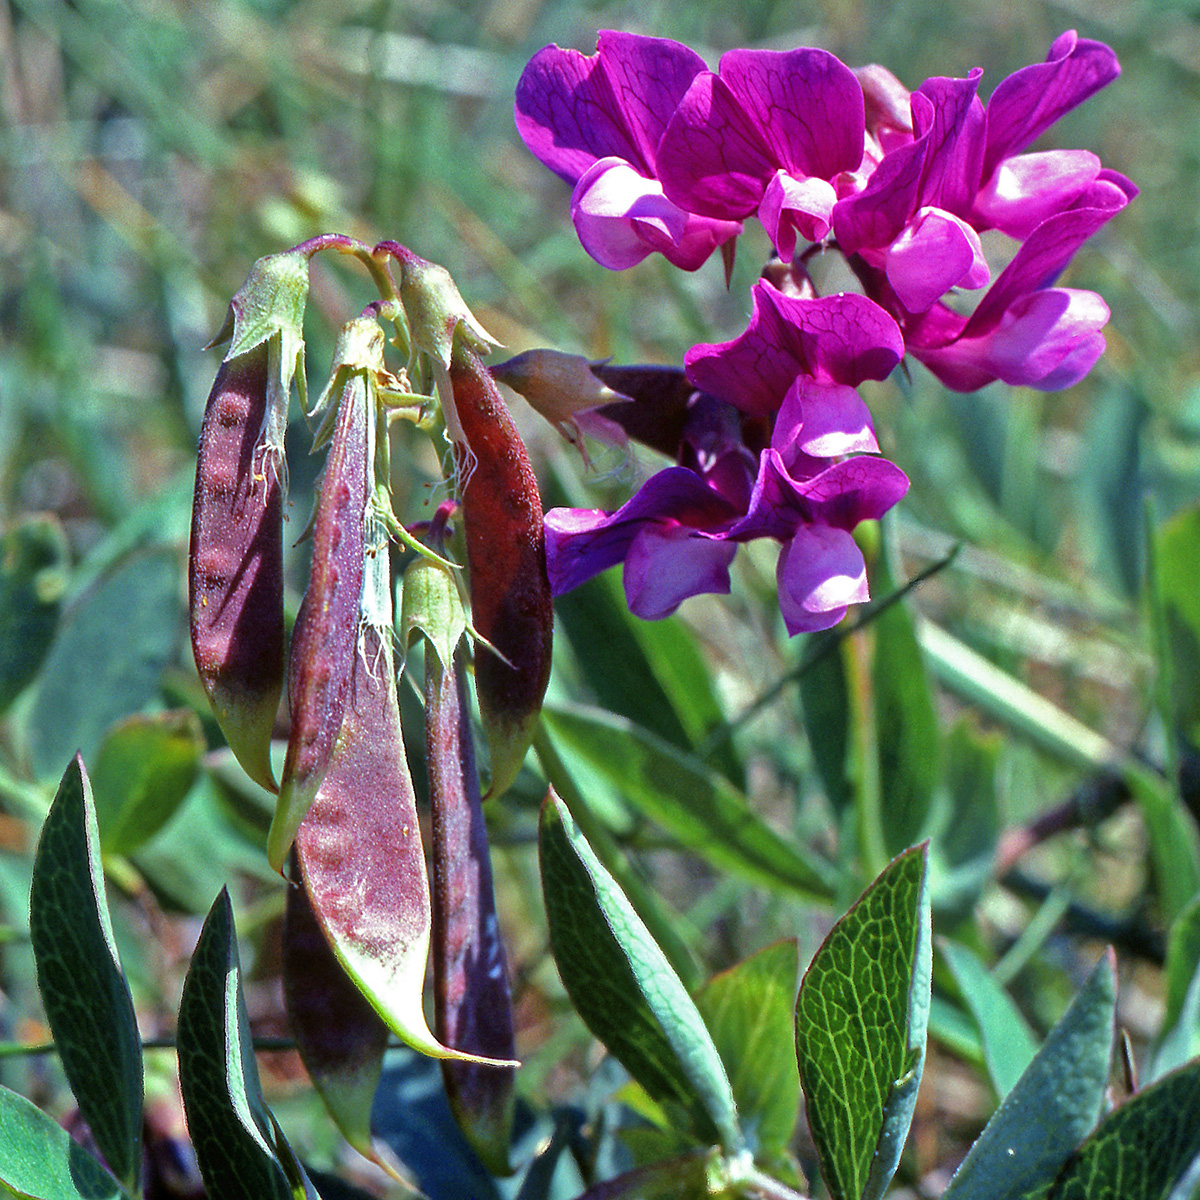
(34, 557)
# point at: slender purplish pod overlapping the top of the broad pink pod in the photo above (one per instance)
(326, 634)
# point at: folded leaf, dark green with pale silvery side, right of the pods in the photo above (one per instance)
(623, 987)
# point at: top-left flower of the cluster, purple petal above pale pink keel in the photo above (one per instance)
(597, 122)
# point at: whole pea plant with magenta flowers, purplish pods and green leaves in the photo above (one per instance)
(433, 634)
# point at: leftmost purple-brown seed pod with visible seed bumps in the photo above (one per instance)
(236, 567)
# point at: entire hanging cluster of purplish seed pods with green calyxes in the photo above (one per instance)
(362, 914)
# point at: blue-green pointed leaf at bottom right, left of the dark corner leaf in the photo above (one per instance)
(1053, 1106)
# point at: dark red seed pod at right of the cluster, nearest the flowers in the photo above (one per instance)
(511, 599)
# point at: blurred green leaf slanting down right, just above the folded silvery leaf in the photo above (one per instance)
(695, 805)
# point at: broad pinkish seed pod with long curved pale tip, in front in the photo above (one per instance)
(361, 855)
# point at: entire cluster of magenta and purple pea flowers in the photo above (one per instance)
(771, 436)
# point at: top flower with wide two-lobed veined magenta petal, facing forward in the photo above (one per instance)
(769, 134)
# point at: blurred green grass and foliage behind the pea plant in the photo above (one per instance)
(152, 151)
